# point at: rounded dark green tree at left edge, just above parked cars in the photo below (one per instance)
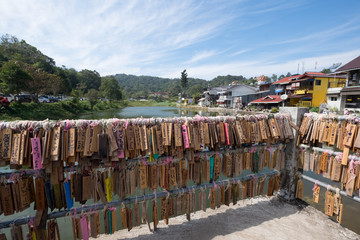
(13, 78)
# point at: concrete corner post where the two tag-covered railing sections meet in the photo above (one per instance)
(288, 185)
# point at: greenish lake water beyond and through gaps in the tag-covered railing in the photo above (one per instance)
(351, 208)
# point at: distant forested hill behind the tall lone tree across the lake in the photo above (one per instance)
(135, 86)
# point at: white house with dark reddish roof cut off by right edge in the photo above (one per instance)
(348, 95)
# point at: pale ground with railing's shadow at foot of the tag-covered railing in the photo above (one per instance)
(260, 218)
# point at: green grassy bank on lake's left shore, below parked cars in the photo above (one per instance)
(55, 111)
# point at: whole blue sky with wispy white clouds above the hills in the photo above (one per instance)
(208, 38)
